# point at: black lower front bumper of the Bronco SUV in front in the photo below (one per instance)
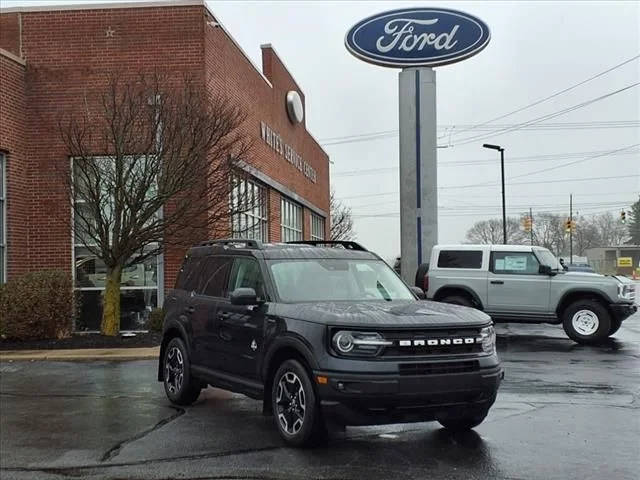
(369, 399)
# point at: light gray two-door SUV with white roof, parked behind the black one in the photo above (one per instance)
(517, 283)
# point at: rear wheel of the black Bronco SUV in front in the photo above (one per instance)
(182, 391)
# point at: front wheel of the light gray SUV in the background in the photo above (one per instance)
(586, 321)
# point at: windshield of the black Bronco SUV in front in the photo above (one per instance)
(312, 280)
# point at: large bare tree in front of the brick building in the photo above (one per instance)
(154, 164)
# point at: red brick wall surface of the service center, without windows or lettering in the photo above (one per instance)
(70, 54)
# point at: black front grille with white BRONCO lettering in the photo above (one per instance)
(398, 336)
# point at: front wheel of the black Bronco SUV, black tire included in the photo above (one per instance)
(296, 410)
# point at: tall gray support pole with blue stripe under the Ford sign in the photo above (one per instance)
(418, 168)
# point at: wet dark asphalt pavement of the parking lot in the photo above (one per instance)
(564, 411)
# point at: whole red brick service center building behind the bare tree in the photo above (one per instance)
(49, 56)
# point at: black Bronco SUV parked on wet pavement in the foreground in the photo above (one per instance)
(323, 335)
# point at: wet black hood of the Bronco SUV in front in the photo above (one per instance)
(385, 314)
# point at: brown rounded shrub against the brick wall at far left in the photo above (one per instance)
(38, 305)
